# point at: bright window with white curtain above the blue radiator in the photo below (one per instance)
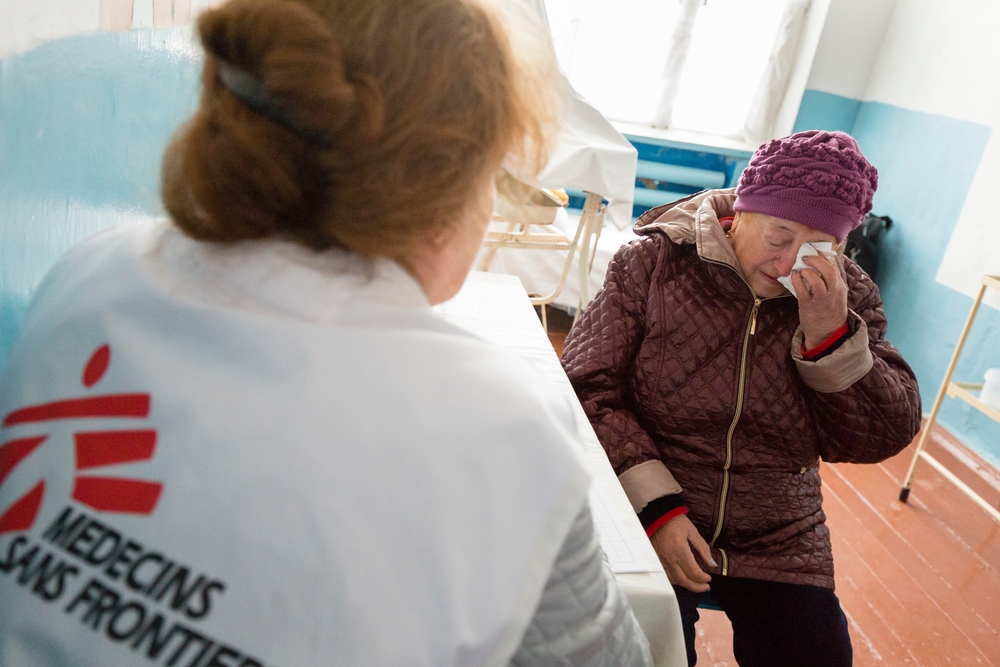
(719, 67)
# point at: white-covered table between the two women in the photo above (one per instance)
(496, 308)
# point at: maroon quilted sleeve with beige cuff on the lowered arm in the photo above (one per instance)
(598, 357)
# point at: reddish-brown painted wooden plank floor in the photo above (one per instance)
(918, 581)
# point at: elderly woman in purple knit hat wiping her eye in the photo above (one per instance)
(716, 392)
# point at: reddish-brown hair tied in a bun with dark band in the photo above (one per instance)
(392, 110)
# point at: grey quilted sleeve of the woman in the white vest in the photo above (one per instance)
(583, 617)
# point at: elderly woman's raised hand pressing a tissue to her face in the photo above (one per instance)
(822, 295)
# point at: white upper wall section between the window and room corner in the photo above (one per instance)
(849, 46)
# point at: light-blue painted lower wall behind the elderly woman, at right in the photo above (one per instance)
(926, 164)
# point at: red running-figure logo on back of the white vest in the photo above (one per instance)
(93, 448)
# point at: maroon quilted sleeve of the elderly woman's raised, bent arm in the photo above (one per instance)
(873, 414)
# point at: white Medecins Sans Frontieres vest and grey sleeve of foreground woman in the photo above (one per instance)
(257, 455)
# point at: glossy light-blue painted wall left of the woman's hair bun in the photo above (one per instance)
(83, 124)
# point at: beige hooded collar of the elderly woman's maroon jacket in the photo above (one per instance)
(695, 219)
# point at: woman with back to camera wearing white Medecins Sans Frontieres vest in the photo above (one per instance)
(313, 466)
